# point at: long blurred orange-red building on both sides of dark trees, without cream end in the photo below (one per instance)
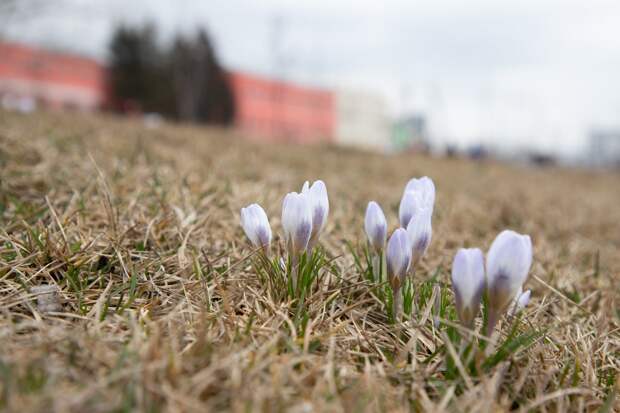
(264, 109)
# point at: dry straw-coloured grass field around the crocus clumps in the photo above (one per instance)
(163, 311)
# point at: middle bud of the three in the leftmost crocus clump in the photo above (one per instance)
(297, 222)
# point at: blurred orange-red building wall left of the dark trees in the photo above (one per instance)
(50, 79)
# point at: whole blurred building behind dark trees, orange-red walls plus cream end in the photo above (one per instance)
(266, 110)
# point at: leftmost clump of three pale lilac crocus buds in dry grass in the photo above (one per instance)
(304, 216)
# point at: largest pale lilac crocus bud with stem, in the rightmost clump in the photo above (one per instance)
(508, 263)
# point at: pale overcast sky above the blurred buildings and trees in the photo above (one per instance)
(526, 73)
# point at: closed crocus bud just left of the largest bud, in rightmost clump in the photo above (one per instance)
(468, 283)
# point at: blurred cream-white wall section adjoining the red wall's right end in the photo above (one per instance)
(362, 120)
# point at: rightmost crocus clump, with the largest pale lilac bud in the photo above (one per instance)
(507, 266)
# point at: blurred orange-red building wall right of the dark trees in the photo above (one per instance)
(278, 111)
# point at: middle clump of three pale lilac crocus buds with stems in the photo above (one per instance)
(409, 243)
